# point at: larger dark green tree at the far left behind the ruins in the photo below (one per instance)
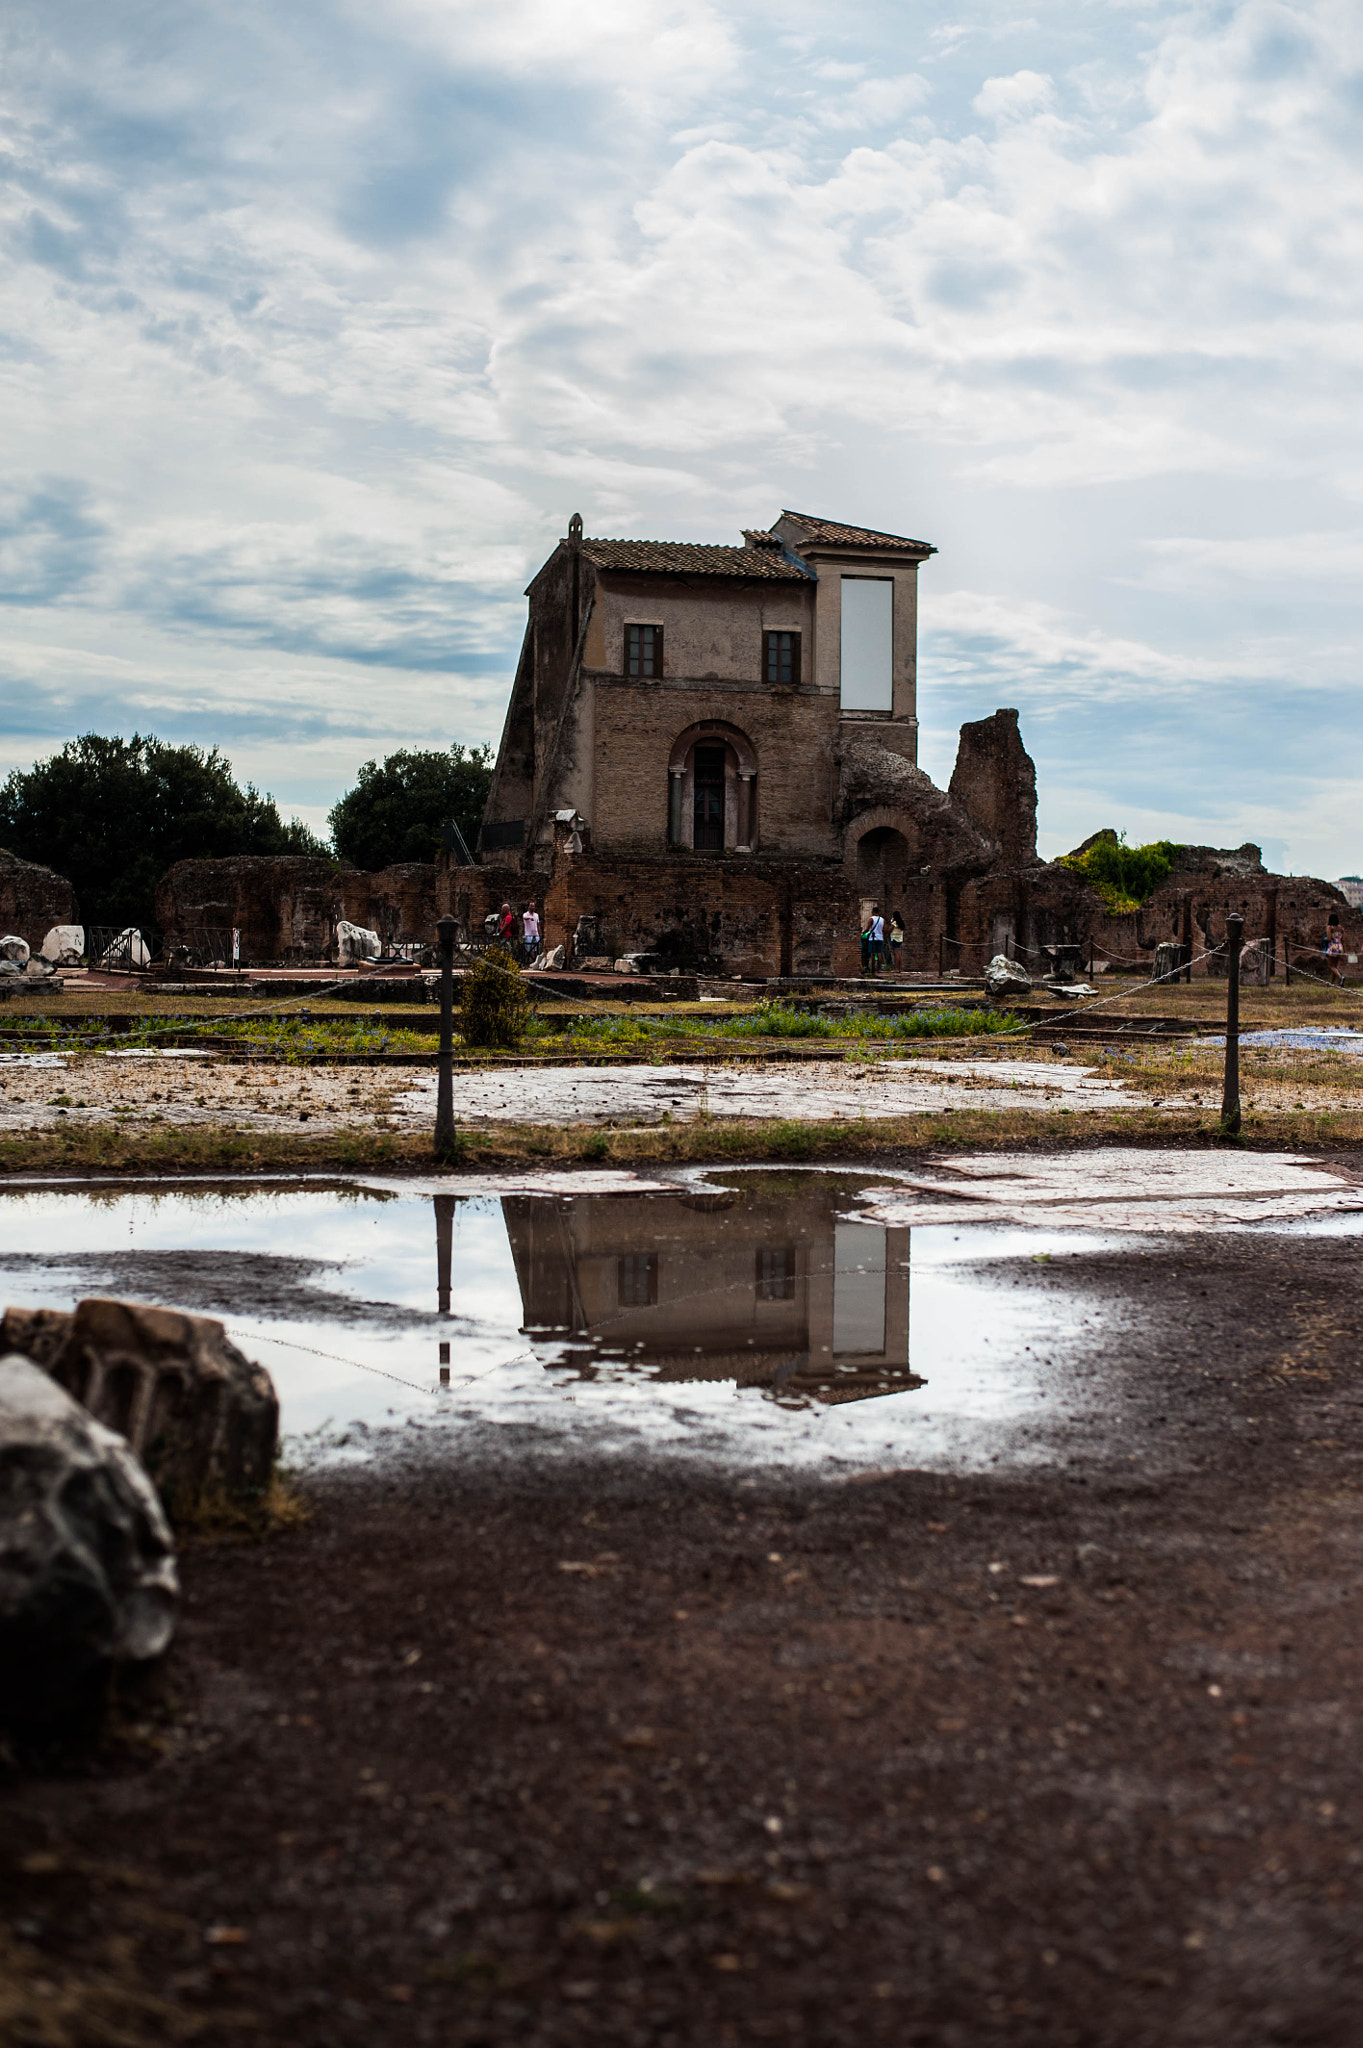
(116, 814)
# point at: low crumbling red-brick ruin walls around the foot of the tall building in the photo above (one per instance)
(961, 865)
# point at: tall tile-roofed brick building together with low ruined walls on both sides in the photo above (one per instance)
(711, 763)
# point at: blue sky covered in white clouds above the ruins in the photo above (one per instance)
(322, 318)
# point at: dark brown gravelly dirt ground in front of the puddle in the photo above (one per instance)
(515, 1752)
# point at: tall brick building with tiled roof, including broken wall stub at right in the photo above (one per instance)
(713, 755)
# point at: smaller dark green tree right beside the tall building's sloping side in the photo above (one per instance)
(396, 810)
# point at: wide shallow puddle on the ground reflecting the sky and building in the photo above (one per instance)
(756, 1316)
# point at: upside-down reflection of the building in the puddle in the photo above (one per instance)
(766, 1287)
